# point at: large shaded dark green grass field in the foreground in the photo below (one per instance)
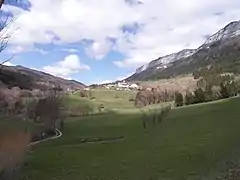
(192, 143)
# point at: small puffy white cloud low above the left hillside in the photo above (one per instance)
(65, 68)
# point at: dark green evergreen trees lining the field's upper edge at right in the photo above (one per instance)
(212, 84)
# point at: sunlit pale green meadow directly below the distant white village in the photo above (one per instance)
(111, 99)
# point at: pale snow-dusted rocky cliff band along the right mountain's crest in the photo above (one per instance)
(230, 31)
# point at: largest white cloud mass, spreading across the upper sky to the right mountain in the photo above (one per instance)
(168, 25)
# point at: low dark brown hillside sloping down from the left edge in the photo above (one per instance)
(26, 78)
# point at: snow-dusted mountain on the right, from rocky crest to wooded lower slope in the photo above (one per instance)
(221, 48)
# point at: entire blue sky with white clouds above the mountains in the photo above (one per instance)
(98, 41)
